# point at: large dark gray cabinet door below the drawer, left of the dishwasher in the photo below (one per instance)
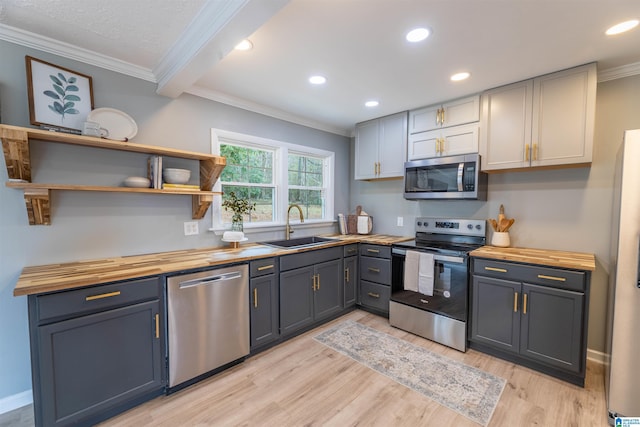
(90, 364)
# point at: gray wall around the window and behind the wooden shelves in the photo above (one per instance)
(97, 225)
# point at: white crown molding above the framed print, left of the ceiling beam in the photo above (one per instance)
(66, 50)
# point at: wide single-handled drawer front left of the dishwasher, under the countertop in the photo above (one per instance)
(82, 301)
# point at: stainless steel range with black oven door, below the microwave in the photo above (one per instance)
(439, 314)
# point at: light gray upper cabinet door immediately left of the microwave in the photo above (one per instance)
(392, 145)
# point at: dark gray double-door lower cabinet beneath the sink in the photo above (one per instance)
(311, 288)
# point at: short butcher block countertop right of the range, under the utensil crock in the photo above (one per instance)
(562, 259)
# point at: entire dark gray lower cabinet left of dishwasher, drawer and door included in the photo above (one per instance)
(96, 351)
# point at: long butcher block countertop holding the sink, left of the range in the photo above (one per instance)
(58, 277)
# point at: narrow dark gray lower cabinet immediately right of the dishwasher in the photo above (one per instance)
(264, 304)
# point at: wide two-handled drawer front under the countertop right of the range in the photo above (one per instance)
(540, 275)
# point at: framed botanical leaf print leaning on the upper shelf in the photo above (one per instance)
(58, 97)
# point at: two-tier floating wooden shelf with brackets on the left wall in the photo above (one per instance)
(15, 146)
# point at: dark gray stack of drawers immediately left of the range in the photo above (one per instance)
(375, 278)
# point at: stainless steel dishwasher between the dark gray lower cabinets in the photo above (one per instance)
(208, 321)
